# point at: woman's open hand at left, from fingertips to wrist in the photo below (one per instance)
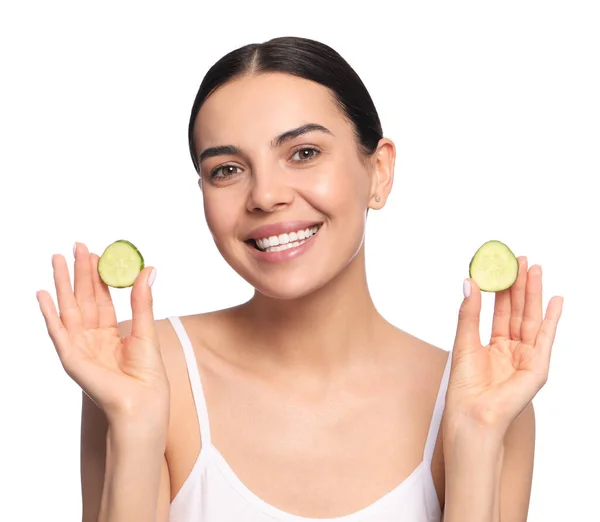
(126, 377)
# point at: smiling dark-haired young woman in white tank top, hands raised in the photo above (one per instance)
(303, 403)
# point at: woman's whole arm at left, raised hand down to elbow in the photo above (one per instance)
(125, 424)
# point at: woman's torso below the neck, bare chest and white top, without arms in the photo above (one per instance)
(292, 447)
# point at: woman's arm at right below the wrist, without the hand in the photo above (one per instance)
(488, 476)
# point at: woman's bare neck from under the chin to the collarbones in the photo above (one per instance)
(320, 332)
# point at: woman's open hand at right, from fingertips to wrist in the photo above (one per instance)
(491, 385)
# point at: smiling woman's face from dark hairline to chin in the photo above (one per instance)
(285, 188)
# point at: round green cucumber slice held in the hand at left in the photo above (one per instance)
(120, 264)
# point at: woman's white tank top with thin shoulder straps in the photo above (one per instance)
(213, 493)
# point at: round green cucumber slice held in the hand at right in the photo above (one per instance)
(494, 267)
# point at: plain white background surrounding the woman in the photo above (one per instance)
(494, 107)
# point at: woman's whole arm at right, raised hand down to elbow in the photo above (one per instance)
(488, 425)
